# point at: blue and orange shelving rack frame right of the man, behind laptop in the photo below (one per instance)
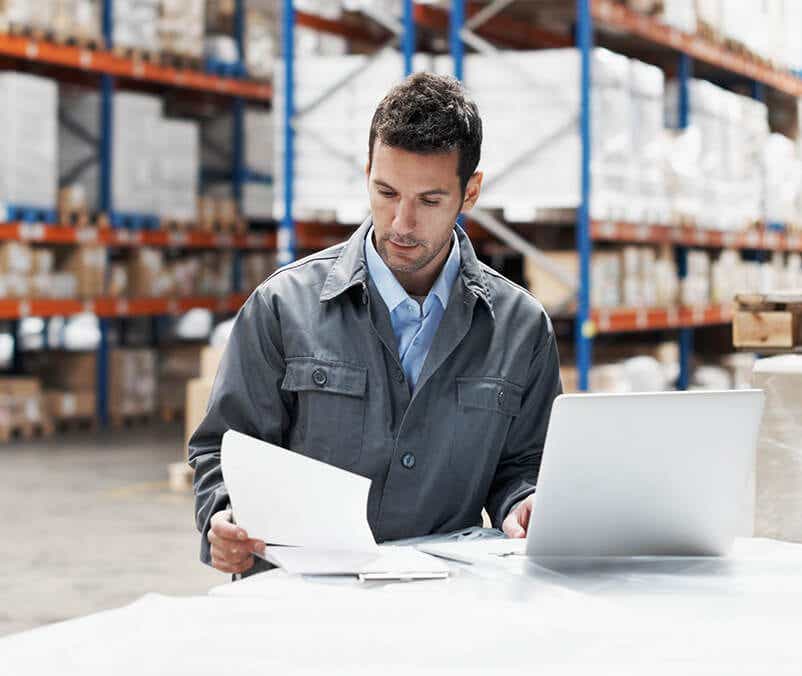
(608, 14)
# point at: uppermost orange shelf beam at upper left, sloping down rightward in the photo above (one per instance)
(108, 63)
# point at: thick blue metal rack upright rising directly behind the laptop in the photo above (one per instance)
(583, 331)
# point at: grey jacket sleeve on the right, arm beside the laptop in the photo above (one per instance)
(519, 465)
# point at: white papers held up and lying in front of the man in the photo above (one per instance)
(312, 516)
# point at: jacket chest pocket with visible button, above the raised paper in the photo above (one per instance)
(331, 407)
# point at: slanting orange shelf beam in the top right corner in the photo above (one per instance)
(615, 15)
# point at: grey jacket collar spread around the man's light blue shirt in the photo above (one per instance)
(350, 269)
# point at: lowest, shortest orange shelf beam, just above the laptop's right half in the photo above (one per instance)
(622, 320)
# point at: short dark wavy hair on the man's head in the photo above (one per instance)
(429, 113)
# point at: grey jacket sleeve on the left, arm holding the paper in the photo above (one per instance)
(246, 397)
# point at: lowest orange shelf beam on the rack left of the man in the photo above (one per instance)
(116, 307)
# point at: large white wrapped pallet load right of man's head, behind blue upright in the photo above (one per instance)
(536, 92)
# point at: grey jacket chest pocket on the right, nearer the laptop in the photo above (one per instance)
(485, 409)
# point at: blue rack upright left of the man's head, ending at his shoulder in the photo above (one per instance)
(286, 230)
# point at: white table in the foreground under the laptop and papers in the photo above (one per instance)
(741, 615)
